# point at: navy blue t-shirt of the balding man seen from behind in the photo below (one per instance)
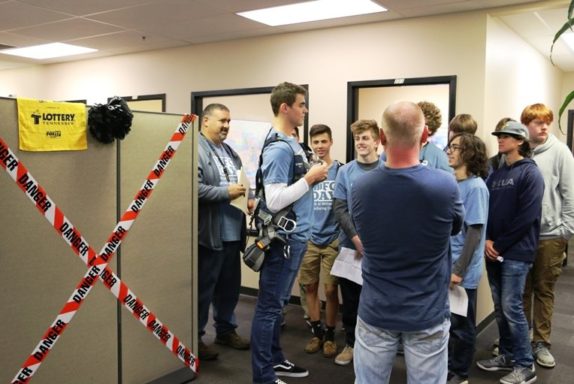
(405, 218)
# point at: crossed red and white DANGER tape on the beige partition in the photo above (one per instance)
(98, 265)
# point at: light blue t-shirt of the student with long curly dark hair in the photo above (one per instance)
(474, 195)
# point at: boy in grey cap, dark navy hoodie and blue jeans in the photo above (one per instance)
(516, 191)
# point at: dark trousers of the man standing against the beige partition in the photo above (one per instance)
(219, 279)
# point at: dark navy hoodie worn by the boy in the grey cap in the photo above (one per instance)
(515, 206)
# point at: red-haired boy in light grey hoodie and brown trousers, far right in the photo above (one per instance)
(556, 163)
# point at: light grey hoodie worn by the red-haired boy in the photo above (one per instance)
(556, 163)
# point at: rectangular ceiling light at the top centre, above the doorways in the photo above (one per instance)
(312, 11)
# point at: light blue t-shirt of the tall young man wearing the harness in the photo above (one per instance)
(277, 168)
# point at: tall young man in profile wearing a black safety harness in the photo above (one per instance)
(287, 181)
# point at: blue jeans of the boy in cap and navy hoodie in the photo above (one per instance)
(506, 282)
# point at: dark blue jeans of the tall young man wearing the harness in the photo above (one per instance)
(275, 284)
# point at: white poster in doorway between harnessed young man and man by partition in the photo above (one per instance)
(246, 138)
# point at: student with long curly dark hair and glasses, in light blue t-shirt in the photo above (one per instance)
(467, 156)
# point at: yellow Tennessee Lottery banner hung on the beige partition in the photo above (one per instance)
(51, 126)
